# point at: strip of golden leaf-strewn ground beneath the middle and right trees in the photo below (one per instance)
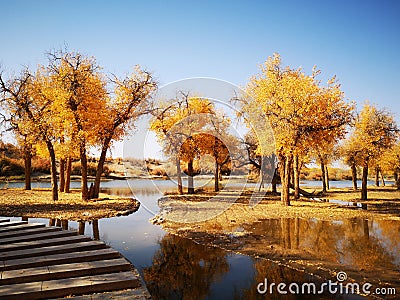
(196, 212)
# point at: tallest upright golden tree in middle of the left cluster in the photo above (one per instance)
(79, 91)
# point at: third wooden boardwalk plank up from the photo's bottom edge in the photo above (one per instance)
(63, 271)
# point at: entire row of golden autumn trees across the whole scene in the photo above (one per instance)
(69, 105)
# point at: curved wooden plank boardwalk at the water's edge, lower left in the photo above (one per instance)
(39, 262)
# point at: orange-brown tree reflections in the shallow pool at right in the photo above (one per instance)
(366, 249)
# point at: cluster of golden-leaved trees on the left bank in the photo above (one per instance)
(63, 108)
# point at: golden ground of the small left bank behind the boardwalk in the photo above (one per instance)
(37, 203)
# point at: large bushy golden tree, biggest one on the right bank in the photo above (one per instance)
(300, 111)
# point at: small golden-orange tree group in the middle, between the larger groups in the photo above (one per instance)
(190, 127)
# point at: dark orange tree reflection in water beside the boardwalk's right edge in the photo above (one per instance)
(184, 270)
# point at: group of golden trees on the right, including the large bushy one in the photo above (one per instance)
(309, 122)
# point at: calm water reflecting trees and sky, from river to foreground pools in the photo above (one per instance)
(178, 268)
